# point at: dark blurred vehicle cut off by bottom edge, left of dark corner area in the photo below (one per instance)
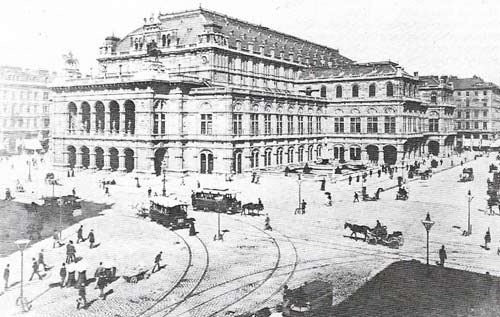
(313, 299)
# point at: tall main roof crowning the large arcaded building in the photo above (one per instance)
(187, 25)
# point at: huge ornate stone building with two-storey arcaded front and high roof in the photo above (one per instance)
(200, 91)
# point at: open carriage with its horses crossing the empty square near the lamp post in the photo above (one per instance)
(377, 235)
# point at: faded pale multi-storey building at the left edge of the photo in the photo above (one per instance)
(24, 104)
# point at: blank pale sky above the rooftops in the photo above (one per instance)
(460, 37)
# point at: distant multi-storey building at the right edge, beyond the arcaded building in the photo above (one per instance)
(478, 111)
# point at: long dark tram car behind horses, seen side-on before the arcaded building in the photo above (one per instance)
(218, 200)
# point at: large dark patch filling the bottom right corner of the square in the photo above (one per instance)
(405, 289)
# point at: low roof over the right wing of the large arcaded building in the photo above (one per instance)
(354, 71)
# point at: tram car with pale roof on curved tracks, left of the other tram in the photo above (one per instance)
(169, 212)
